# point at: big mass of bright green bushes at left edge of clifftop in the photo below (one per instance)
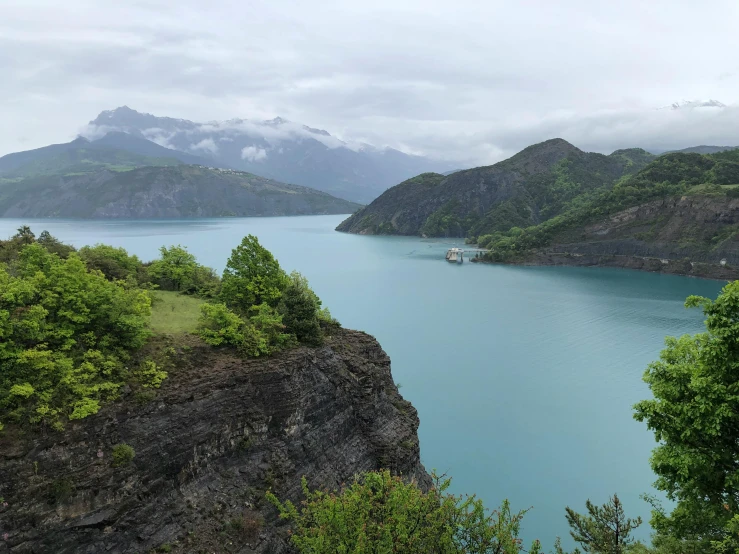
(65, 333)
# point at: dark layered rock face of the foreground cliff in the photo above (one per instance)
(219, 432)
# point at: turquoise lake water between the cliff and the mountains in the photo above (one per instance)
(523, 378)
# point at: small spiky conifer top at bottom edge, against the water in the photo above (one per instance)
(605, 530)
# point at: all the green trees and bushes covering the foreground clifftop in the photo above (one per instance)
(74, 324)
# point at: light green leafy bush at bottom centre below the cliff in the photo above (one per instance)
(380, 513)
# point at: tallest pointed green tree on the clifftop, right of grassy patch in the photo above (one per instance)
(252, 277)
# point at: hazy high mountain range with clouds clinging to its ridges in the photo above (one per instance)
(278, 149)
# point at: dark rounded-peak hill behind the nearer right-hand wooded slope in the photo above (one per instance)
(532, 186)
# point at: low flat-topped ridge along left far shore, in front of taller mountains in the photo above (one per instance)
(161, 192)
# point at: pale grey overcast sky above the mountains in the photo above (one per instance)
(463, 80)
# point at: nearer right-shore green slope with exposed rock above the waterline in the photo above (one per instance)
(678, 214)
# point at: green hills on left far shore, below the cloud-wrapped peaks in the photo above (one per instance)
(126, 176)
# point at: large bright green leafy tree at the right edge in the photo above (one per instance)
(695, 417)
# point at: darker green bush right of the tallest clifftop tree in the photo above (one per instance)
(300, 308)
